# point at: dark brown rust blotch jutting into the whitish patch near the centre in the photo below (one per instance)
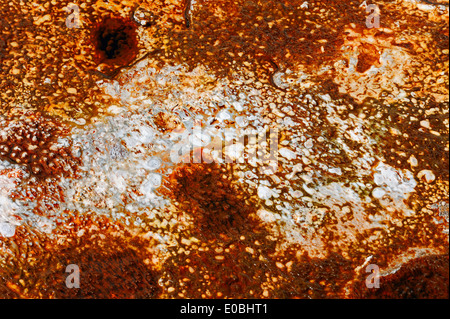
(216, 203)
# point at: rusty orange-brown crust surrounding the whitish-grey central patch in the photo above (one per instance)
(51, 71)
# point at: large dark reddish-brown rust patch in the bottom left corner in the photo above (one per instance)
(113, 264)
